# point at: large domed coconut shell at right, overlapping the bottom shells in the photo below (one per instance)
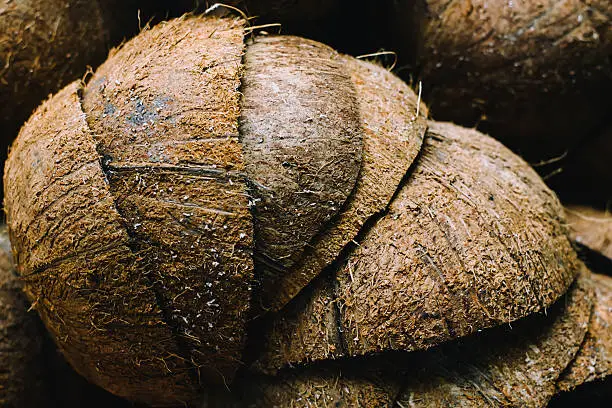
(472, 240)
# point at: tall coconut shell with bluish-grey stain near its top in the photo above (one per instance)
(164, 113)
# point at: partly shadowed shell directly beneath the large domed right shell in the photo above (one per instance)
(515, 367)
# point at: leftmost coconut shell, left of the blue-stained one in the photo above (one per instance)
(73, 253)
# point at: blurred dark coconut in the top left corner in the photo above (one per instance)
(43, 45)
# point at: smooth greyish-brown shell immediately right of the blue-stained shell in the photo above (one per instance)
(303, 149)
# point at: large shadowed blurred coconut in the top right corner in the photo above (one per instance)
(534, 74)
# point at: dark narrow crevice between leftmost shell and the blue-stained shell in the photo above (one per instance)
(133, 245)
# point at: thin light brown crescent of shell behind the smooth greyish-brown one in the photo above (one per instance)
(392, 137)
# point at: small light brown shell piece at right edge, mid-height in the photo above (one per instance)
(591, 227)
